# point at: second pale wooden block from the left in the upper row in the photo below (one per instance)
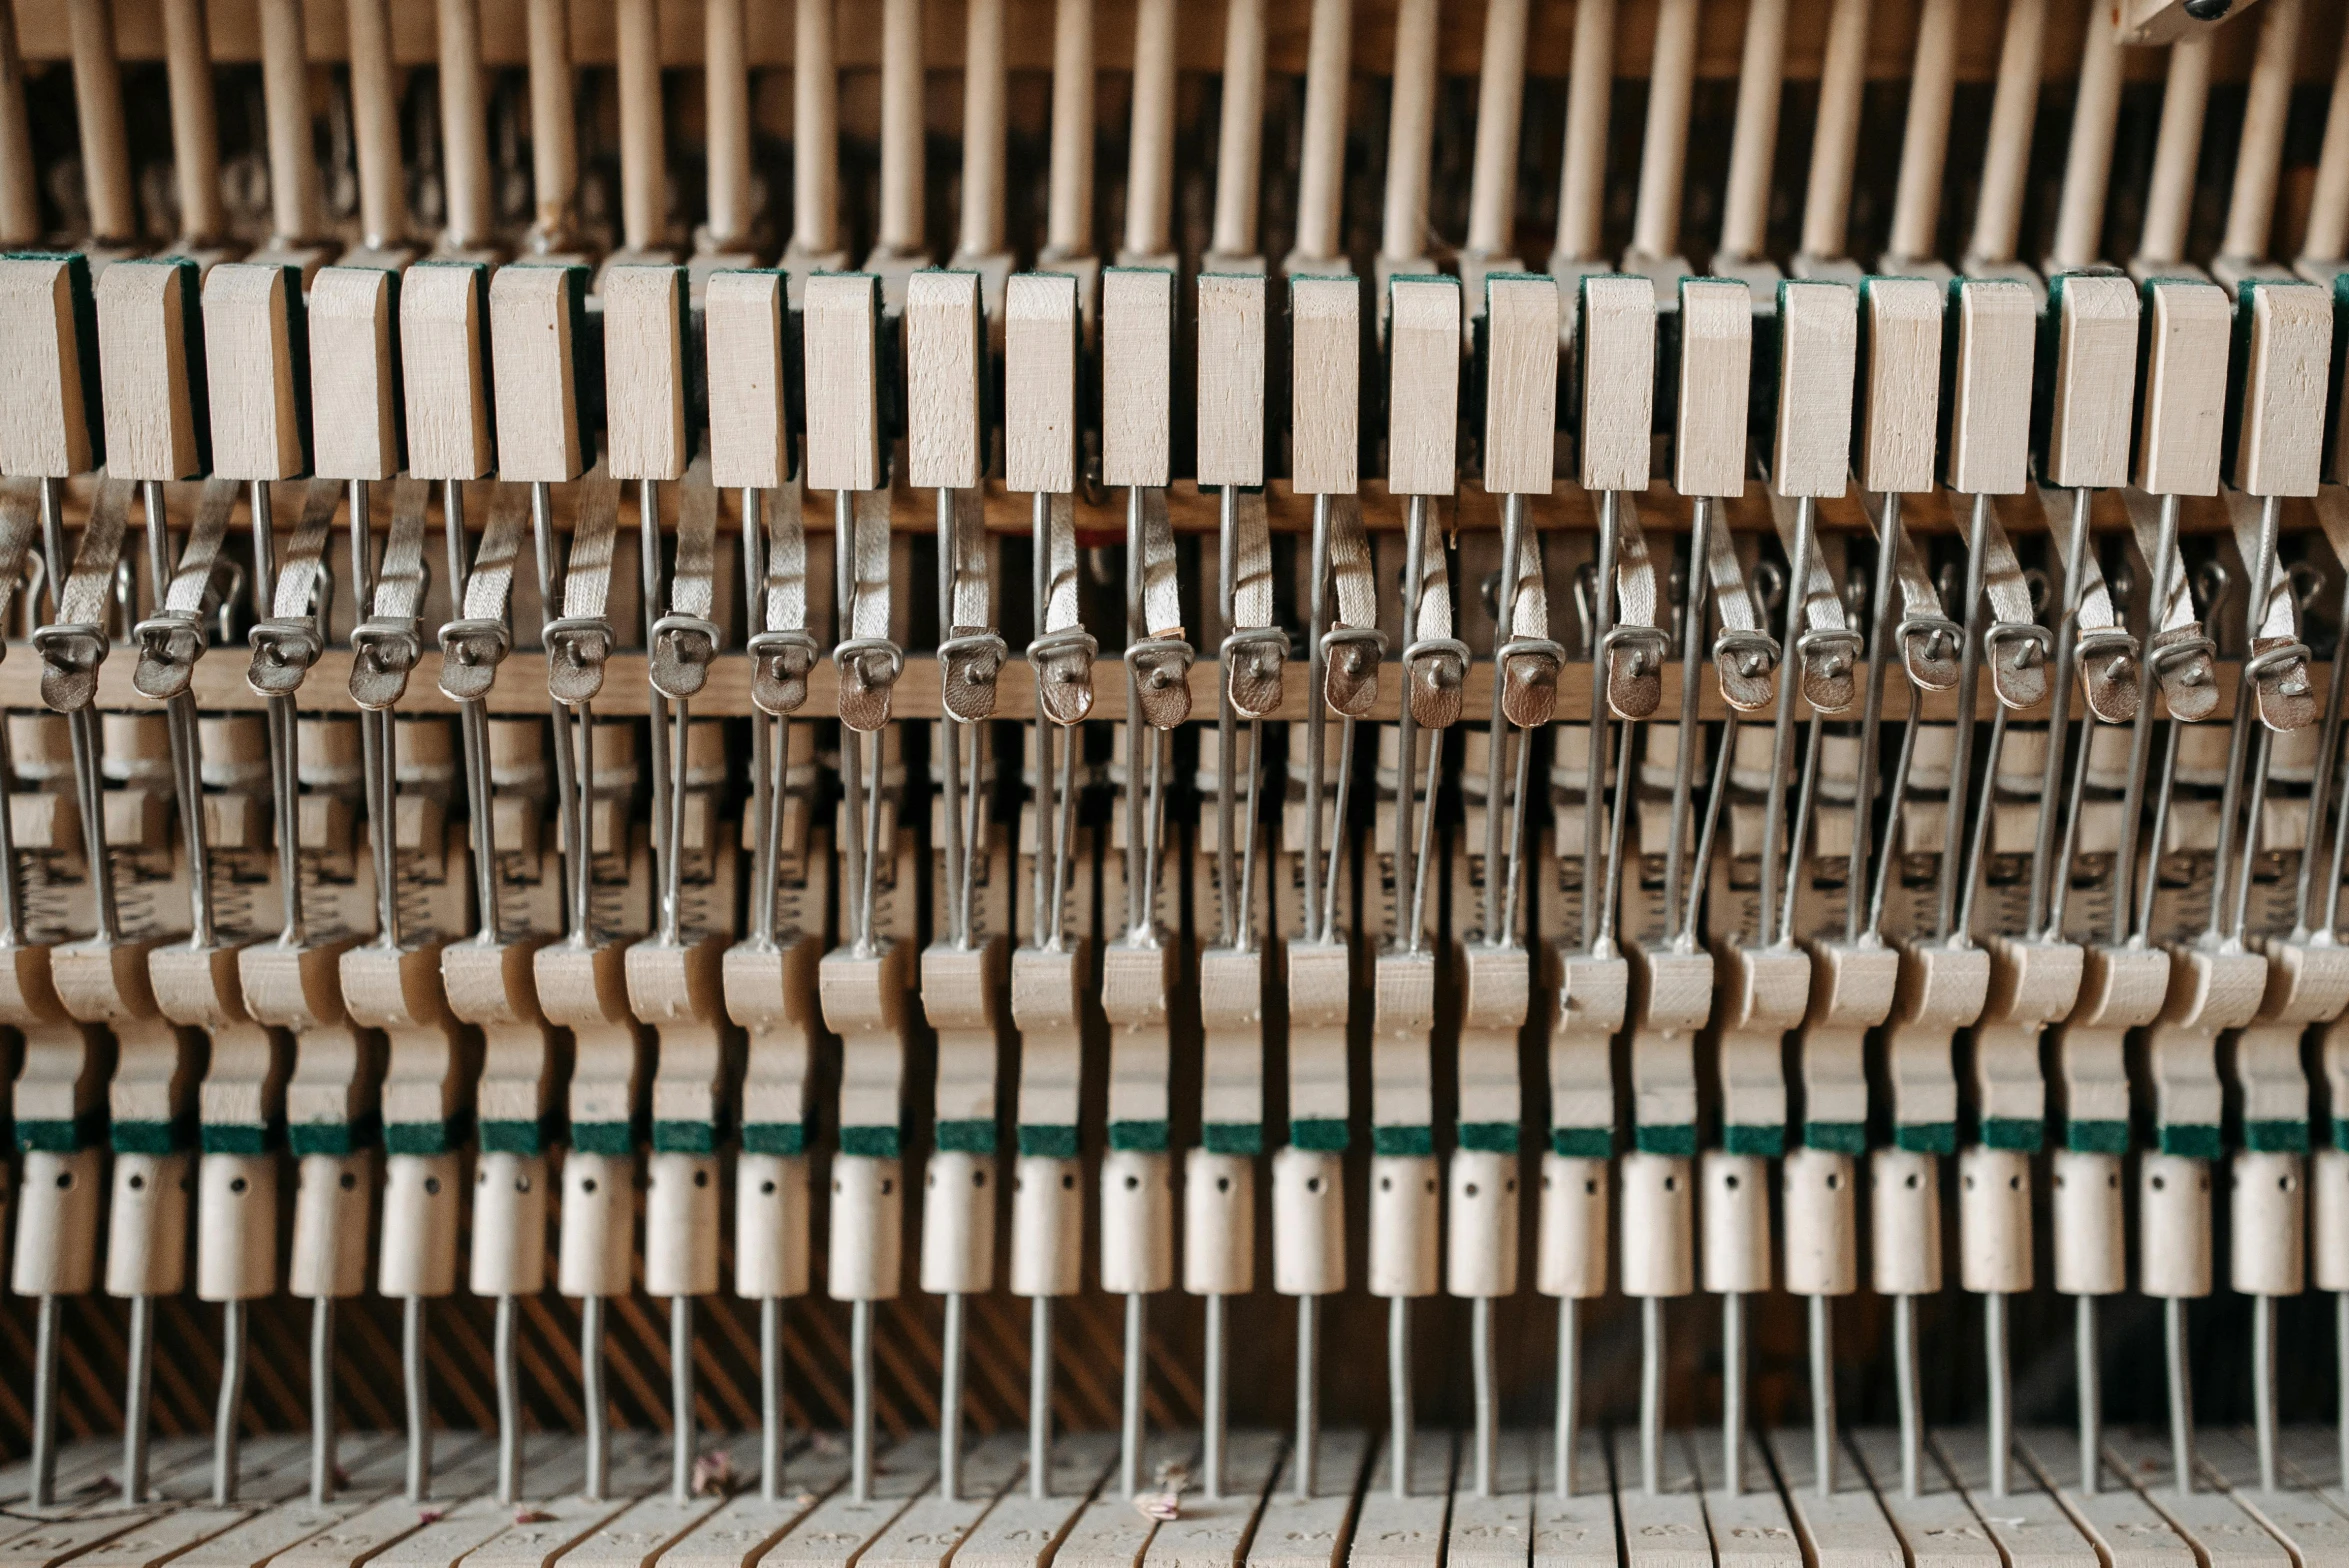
(144, 323)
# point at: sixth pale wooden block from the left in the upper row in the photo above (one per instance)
(534, 372)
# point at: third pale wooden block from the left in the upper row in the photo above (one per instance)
(255, 358)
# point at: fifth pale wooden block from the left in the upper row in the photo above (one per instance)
(445, 370)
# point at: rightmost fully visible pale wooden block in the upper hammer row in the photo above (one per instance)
(2280, 412)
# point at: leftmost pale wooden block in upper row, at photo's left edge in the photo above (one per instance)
(51, 421)
